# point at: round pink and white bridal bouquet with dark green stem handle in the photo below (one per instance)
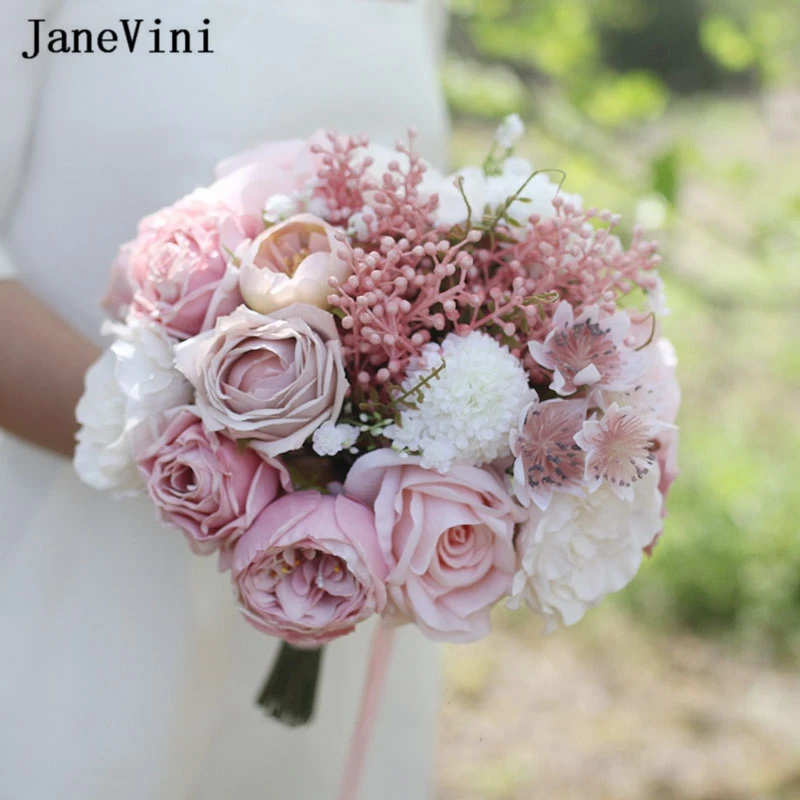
(373, 389)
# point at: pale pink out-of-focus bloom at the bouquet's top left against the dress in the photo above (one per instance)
(245, 182)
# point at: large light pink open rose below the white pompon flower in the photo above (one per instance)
(448, 540)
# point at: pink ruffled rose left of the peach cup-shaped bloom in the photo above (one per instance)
(177, 268)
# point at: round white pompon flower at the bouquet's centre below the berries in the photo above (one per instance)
(467, 411)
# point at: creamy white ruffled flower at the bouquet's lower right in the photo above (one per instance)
(583, 548)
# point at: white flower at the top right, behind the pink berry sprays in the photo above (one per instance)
(494, 190)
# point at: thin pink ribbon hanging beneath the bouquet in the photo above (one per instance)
(380, 653)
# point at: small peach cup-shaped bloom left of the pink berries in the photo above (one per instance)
(292, 262)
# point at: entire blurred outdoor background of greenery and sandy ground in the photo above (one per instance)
(684, 116)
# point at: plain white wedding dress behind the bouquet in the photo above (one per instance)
(125, 671)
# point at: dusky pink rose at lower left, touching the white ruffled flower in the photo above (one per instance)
(204, 484)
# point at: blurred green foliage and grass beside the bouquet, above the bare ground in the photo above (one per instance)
(684, 116)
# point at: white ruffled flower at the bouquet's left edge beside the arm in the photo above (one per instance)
(132, 381)
